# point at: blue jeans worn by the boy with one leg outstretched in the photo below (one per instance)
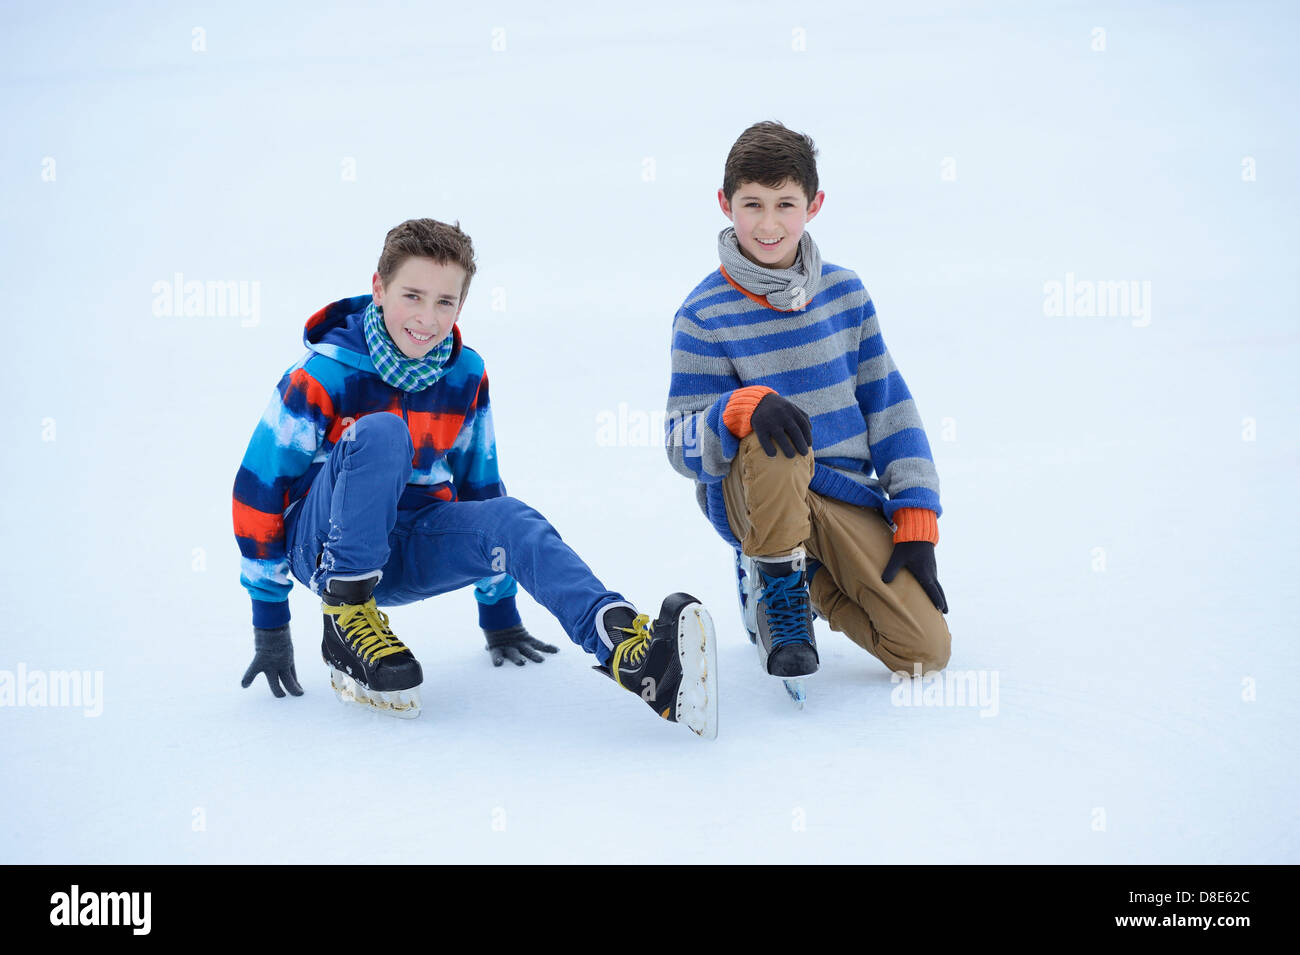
(350, 526)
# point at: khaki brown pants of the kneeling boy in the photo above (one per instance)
(772, 511)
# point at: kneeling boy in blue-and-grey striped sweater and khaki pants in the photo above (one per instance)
(808, 453)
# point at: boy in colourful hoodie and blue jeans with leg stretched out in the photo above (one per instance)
(372, 479)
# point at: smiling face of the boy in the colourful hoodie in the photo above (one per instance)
(421, 303)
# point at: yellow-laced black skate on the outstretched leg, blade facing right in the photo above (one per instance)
(671, 665)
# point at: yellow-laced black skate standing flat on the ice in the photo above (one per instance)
(369, 666)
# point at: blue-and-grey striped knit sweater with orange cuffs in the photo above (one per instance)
(731, 348)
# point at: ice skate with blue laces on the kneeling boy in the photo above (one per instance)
(779, 617)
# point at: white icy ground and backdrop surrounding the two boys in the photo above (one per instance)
(1120, 691)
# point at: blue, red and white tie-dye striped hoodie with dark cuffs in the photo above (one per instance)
(333, 385)
